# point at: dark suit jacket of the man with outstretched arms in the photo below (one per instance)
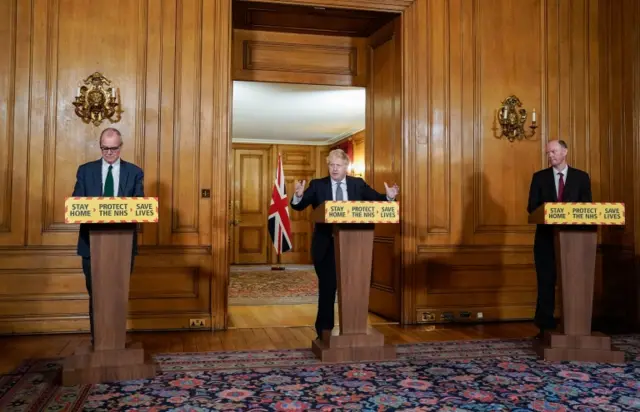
(320, 191)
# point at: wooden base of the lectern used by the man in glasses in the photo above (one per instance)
(87, 366)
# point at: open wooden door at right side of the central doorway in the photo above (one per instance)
(384, 157)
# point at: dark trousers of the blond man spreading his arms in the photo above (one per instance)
(327, 287)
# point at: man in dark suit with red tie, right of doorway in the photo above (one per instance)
(558, 183)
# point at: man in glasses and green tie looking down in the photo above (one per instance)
(109, 176)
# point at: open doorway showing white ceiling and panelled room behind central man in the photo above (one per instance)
(300, 123)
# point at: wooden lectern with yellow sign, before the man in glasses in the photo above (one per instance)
(111, 236)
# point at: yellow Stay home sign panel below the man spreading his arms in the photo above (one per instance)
(361, 212)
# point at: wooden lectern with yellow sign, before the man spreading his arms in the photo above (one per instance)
(353, 229)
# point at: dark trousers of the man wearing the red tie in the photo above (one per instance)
(546, 274)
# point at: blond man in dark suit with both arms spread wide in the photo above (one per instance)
(336, 186)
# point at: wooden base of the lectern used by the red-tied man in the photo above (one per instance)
(591, 348)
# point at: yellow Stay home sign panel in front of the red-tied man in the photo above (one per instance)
(584, 214)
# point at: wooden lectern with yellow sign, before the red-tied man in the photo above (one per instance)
(575, 236)
